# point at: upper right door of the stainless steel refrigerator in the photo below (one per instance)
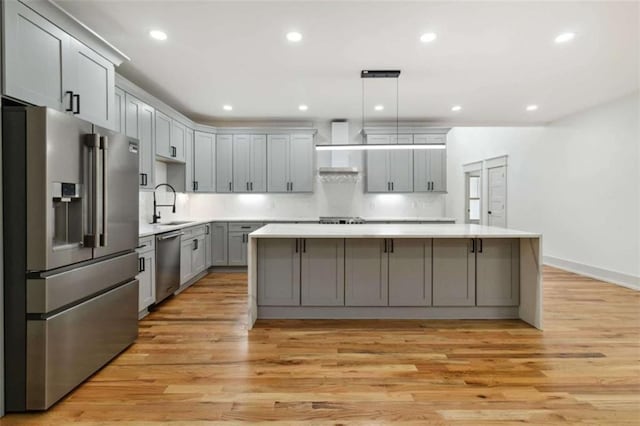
(118, 193)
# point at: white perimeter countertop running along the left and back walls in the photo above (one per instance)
(146, 229)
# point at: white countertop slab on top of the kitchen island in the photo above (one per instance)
(301, 230)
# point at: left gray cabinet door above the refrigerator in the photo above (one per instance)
(36, 54)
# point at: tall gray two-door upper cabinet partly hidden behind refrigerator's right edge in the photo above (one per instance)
(139, 124)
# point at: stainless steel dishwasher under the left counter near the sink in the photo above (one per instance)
(167, 264)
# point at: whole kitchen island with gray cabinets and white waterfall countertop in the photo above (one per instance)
(394, 271)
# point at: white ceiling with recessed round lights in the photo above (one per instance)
(492, 58)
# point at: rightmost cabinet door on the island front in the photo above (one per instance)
(498, 272)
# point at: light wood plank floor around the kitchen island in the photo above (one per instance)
(195, 362)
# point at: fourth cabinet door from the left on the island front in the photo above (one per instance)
(409, 272)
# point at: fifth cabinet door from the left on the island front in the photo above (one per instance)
(454, 282)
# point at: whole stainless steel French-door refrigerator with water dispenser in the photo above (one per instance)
(70, 230)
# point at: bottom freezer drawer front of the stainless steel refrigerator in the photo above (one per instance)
(65, 349)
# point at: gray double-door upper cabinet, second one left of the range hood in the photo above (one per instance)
(249, 163)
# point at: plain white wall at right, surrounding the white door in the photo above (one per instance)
(576, 181)
